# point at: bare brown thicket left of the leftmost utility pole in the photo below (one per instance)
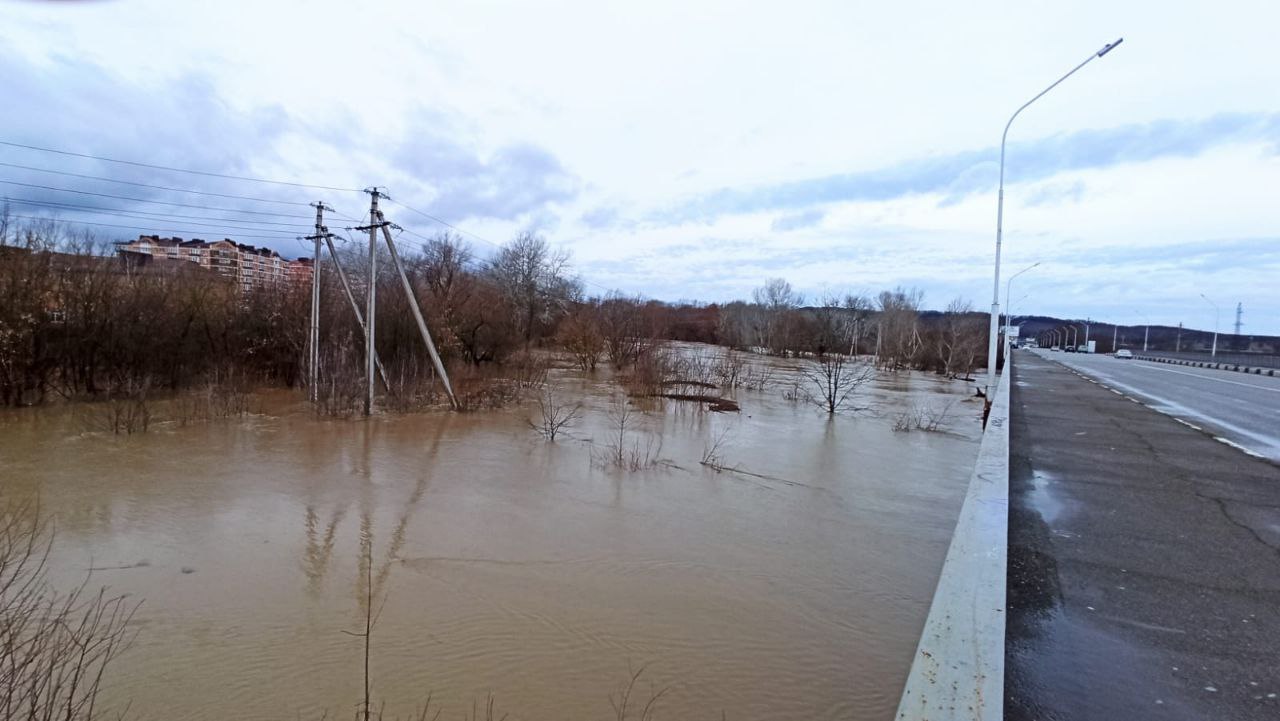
(79, 323)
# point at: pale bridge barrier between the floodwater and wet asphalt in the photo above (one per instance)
(959, 667)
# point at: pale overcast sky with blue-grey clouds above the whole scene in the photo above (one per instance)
(693, 150)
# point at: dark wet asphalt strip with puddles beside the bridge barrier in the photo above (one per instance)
(1144, 562)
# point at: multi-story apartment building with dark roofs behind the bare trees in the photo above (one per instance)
(250, 267)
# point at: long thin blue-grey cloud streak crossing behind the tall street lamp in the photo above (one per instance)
(961, 175)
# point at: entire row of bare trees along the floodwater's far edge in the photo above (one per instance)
(77, 322)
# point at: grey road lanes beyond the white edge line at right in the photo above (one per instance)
(1232, 407)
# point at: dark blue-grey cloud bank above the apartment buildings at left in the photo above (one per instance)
(180, 122)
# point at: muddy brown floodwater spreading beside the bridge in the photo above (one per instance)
(502, 564)
